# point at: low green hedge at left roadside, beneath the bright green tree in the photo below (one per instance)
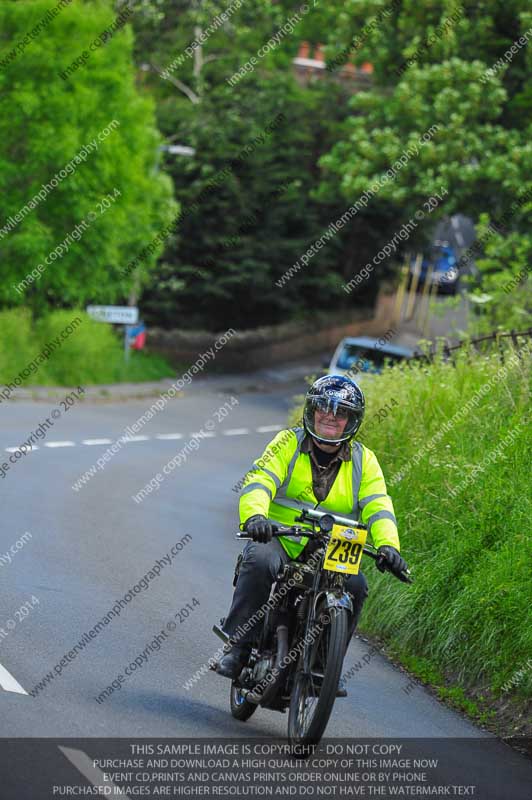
(82, 352)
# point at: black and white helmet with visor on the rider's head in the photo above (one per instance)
(338, 394)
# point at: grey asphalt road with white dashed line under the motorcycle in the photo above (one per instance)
(88, 548)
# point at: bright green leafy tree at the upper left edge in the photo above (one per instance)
(45, 122)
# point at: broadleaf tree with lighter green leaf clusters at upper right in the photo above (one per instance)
(443, 64)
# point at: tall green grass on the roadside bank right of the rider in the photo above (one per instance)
(469, 612)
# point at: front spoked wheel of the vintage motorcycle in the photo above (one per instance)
(314, 691)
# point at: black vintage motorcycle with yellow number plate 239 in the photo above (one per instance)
(297, 660)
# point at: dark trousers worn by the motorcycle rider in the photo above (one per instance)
(259, 568)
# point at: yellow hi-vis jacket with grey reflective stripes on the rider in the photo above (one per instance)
(279, 486)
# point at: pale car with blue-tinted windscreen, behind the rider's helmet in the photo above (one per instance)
(365, 354)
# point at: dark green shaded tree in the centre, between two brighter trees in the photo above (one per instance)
(248, 191)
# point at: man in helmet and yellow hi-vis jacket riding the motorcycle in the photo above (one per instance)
(318, 465)
